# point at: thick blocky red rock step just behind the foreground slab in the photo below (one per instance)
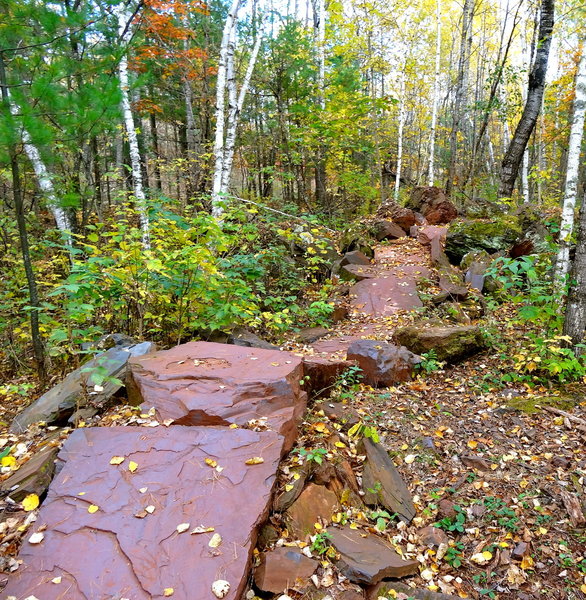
(203, 383)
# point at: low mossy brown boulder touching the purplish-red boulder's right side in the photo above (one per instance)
(450, 344)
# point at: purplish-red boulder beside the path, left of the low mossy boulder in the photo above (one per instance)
(382, 364)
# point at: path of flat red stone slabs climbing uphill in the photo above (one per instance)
(116, 496)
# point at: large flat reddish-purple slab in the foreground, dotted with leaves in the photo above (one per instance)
(112, 553)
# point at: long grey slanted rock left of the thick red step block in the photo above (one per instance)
(78, 388)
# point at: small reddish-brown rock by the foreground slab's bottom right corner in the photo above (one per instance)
(283, 568)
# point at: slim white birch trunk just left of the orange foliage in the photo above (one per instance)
(139, 195)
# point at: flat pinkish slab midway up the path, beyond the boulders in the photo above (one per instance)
(390, 292)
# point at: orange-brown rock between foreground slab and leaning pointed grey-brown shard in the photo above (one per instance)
(316, 502)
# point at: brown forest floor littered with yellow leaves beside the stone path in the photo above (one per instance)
(498, 472)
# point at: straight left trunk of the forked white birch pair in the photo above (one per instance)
(230, 24)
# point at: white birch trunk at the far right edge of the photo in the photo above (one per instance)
(572, 173)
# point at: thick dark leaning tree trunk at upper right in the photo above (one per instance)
(514, 155)
